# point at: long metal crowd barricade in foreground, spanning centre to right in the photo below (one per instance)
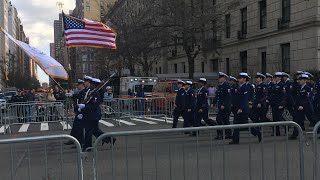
(171, 154)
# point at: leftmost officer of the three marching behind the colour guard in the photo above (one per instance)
(179, 105)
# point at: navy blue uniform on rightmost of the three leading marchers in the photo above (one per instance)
(202, 108)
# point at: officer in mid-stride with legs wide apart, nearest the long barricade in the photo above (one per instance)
(242, 108)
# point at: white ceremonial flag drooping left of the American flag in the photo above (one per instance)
(49, 65)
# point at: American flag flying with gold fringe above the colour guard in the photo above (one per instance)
(84, 32)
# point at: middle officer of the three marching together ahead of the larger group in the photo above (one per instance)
(190, 103)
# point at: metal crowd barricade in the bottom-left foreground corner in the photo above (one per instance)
(25, 158)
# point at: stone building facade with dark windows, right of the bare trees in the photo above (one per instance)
(269, 36)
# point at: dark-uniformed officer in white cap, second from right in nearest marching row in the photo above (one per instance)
(276, 98)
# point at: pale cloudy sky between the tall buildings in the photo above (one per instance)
(37, 17)
